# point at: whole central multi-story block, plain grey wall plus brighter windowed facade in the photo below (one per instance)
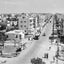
(28, 23)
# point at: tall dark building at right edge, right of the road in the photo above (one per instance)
(60, 27)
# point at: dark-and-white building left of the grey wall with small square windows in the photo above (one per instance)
(12, 22)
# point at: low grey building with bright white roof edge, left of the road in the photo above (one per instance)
(16, 35)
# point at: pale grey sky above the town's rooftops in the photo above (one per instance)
(34, 6)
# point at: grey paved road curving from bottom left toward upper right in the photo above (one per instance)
(25, 56)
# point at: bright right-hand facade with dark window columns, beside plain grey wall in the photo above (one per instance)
(34, 23)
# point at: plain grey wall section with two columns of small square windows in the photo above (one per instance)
(23, 22)
